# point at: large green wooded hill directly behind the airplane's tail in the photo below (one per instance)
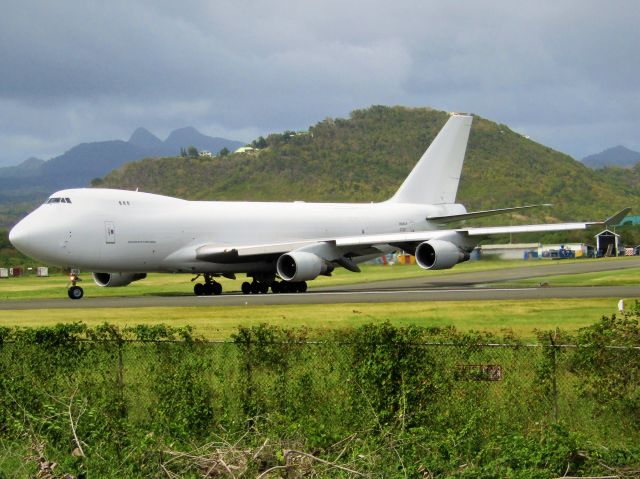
(366, 157)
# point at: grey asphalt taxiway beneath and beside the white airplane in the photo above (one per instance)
(471, 286)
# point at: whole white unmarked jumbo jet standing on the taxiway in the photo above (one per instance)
(122, 235)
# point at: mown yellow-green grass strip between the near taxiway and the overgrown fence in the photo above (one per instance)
(521, 318)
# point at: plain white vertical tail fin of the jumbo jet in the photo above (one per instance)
(435, 178)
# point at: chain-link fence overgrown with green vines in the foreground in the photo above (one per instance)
(188, 389)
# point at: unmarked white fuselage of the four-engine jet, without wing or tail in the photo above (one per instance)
(127, 231)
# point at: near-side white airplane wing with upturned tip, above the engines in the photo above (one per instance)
(342, 250)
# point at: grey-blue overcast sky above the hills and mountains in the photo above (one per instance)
(566, 73)
